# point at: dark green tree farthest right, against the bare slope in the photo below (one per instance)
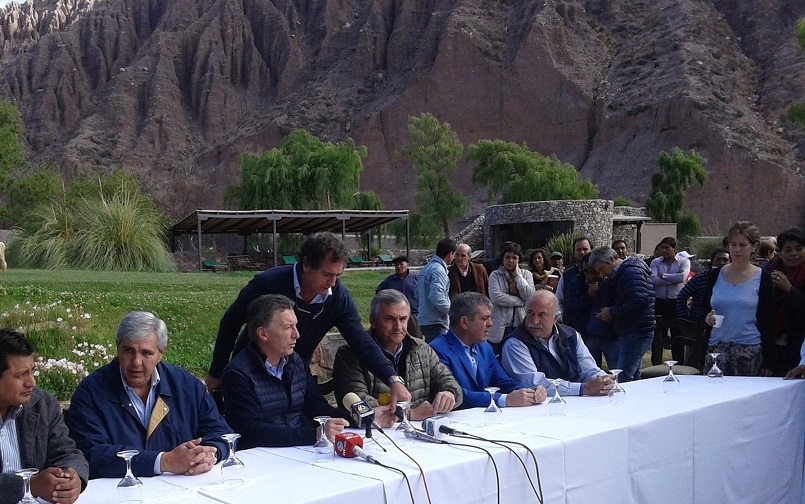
(669, 188)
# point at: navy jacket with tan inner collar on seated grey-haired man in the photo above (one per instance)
(103, 422)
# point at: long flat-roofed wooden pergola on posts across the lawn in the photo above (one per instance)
(247, 222)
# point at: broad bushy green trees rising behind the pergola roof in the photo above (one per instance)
(303, 173)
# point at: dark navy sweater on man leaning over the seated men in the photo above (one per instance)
(314, 321)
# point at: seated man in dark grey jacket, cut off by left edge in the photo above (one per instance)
(33, 432)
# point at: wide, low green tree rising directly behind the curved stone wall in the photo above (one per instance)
(513, 174)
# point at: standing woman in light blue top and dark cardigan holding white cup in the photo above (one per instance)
(744, 295)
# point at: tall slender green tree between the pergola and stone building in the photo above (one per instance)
(434, 150)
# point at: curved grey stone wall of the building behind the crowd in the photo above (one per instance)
(590, 217)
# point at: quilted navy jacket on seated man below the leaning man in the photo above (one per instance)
(267, 411)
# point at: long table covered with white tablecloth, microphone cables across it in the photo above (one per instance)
(736, 440)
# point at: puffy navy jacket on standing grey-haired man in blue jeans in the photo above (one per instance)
(633, 311)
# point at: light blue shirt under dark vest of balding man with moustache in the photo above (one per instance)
(517, 361)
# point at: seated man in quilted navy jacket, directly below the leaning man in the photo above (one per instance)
(270, 396)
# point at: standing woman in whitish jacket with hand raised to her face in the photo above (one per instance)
(509, 288)
